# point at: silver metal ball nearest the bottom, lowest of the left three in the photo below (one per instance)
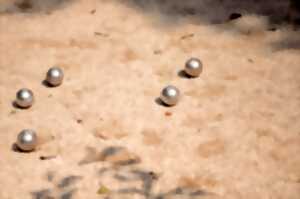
(27, 140)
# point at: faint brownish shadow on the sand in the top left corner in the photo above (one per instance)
(33, 6)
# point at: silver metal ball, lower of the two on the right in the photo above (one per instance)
(170, 95)
